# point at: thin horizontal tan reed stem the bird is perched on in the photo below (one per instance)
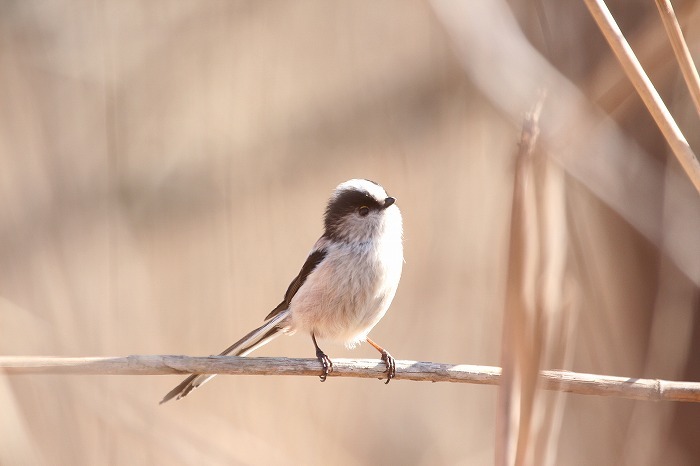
(558, 380)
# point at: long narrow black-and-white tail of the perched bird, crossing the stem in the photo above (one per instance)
(246, 345)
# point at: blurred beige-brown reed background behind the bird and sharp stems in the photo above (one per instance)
(164, 167)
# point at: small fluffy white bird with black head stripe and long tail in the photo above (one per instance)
(345, 286)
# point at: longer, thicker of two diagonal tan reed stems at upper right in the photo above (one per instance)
(646, 90)
